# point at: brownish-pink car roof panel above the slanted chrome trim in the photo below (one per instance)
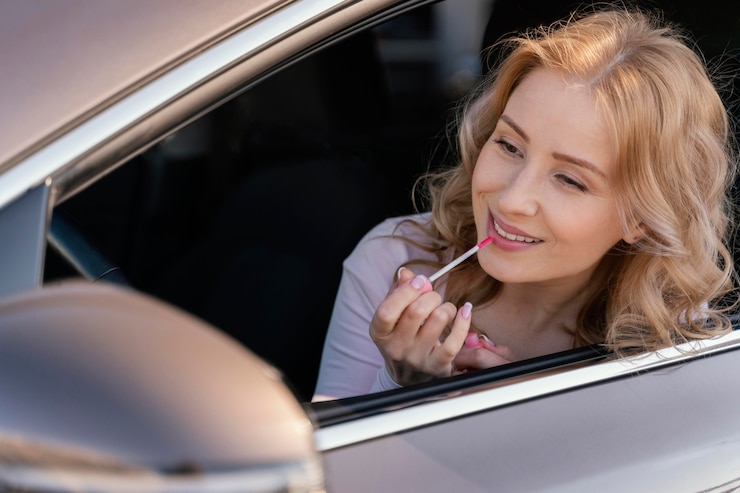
(65, 59)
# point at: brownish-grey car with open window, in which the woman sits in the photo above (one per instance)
(179, 184)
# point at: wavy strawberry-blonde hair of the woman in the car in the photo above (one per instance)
(673, 175)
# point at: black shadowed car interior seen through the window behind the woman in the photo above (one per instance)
(244, 217)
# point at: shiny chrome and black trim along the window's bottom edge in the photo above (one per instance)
(411, 411)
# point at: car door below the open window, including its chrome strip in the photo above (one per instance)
(665, 422)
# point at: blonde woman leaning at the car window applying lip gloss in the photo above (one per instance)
(597, 158)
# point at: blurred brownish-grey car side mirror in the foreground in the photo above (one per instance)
(105, 389)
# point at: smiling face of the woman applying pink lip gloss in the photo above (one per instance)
(542, 188)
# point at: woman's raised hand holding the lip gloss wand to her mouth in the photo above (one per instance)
(408, 329)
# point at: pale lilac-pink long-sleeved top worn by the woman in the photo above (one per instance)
(351, 363)
